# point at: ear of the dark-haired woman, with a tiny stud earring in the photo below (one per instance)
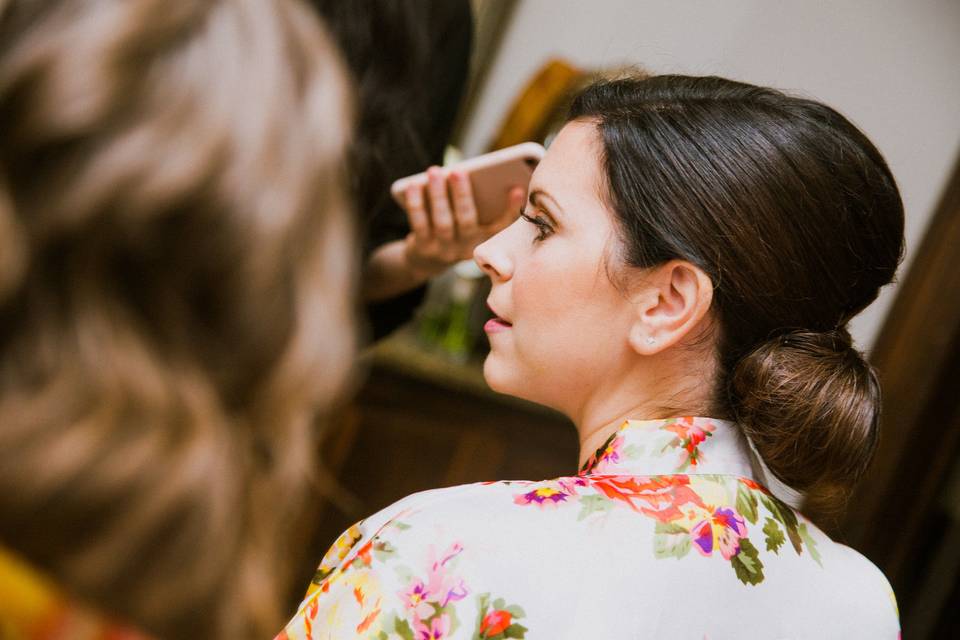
(673, 299)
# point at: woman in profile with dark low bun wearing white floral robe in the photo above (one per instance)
(679, 285)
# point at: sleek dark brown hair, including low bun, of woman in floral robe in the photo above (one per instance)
(797, 220)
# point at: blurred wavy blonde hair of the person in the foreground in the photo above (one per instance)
(176, 274)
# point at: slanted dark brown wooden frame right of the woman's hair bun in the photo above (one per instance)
(918, 357)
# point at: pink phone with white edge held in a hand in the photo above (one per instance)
(492, 176)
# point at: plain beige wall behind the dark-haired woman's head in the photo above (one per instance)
(891, 66)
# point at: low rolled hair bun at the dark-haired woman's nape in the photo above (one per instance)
(810, 404)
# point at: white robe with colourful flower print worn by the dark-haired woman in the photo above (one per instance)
(665, 533)
